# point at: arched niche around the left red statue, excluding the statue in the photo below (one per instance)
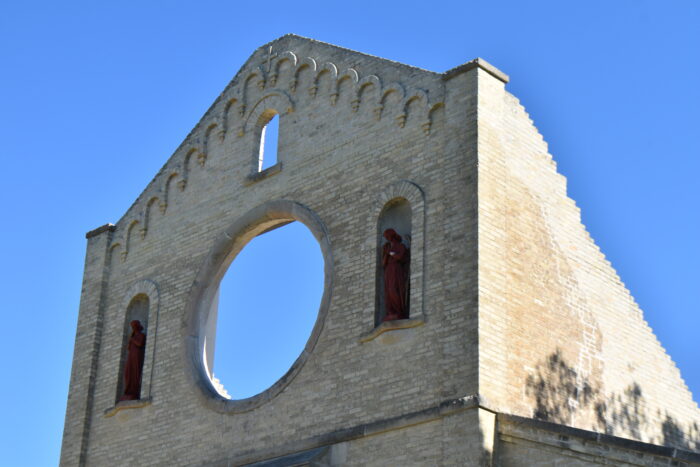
(141, 301)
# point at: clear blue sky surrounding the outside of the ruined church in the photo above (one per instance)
(95, 96)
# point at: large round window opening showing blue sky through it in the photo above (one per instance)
(264, 311)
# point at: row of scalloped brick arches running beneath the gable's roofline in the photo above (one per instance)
(242, 104)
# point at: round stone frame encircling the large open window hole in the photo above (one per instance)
(201, 305)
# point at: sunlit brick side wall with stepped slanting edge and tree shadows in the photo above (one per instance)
(579, 352)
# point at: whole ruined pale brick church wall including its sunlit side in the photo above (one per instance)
(509, 340)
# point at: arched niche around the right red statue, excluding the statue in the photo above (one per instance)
(402, 197)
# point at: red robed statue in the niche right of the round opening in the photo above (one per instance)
(395, 260)
